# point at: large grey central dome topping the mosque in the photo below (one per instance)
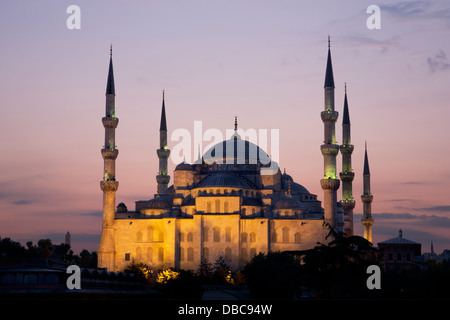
(236, 151)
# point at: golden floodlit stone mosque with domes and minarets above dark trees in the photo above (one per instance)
(235, 205)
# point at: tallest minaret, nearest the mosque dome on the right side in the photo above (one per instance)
(329, 148)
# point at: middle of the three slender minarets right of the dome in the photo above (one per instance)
(347, 174)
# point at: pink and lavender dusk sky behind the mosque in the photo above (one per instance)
(263, 61)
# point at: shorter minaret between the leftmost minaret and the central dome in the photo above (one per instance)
(163, 153)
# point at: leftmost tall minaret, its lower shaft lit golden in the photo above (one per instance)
(109, 185)
